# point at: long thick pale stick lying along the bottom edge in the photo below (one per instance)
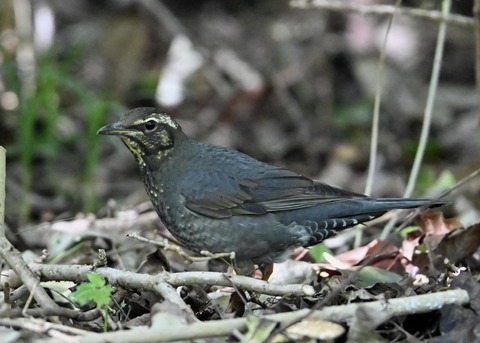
(175, 332)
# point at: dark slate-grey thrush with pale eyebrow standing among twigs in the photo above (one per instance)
(220, 200)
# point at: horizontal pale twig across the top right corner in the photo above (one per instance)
(341, 5)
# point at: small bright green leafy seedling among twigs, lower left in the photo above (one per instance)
(95, 290)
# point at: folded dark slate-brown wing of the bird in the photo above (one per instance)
(218, 195)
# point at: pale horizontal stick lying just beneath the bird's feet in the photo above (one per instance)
(77, 273)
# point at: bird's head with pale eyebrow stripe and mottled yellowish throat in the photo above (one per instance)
(147, 132)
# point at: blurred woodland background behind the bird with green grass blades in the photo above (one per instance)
(292, 87)
